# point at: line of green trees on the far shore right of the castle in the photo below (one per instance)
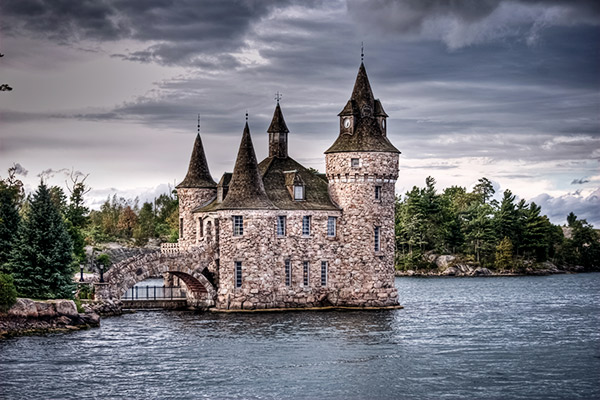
(500, 235)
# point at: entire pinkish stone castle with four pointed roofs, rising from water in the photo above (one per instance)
(279, 235)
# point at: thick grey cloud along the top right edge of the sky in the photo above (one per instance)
(463, 23)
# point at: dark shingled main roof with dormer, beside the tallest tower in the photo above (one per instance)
(275, 170)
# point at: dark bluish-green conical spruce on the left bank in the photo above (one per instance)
(41, 260)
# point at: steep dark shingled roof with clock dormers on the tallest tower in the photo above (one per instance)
(367, 135)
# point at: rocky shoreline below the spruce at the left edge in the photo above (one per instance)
(33, 317)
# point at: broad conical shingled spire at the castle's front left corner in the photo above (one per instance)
(246, 189)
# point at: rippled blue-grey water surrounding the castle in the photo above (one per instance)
(485, 338)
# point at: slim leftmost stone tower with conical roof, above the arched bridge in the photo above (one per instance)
(197, 189)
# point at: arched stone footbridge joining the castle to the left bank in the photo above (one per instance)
(191, 267)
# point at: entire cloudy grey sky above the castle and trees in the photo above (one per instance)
(507, 90)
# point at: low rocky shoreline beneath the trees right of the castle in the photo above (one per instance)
(451, 265)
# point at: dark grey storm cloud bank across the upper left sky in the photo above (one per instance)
(188, 33)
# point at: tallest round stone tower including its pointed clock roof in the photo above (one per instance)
(362, 168)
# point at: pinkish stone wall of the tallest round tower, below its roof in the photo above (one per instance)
(368, 274)
